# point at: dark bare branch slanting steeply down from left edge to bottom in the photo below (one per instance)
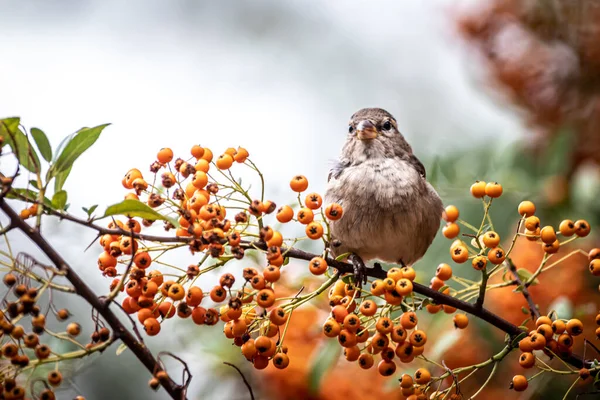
(83, 290)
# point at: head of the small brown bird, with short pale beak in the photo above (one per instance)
(373, 134)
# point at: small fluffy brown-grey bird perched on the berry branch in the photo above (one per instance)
(391, 213)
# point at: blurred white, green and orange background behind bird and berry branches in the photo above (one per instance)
(497, 90)
